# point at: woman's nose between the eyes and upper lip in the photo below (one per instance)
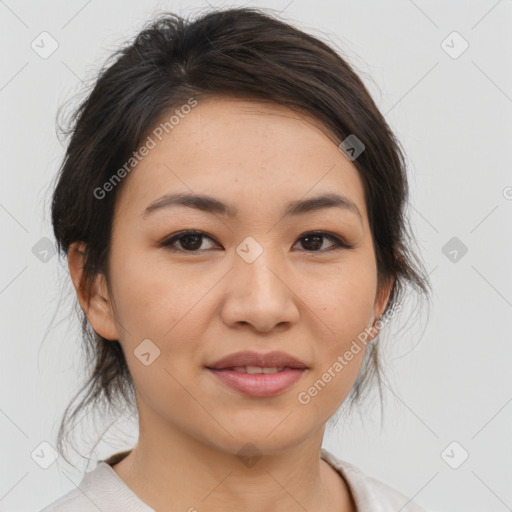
(260, 294)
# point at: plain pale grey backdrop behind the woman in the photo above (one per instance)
(445, 435)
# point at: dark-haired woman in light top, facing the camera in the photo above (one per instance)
(231, 205)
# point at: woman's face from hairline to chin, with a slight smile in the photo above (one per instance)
(252, 281)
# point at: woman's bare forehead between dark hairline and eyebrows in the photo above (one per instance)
(255, 153)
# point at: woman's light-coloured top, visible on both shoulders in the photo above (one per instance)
(102, 490)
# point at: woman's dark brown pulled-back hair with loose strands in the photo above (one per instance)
(244, 53)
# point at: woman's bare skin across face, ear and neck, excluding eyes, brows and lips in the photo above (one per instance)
(199, 307)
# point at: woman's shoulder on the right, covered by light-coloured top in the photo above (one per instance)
(368, 492)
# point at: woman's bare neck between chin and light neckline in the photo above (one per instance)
(175, 472)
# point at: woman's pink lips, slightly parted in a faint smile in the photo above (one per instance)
(260, 384)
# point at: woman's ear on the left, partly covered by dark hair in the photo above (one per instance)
(95, 300)
